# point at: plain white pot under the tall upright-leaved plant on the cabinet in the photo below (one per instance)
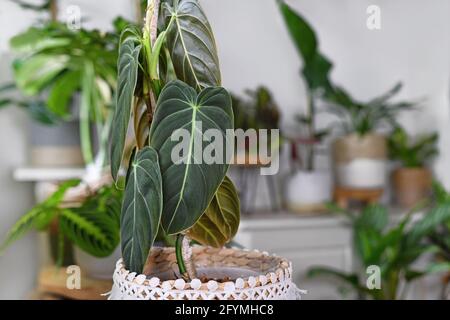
(309, 190)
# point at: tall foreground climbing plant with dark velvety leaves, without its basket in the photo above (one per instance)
(169, 79)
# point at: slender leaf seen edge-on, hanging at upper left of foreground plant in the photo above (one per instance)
(128, 66)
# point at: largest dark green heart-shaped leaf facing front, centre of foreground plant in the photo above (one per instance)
(190, 184)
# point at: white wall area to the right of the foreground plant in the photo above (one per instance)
(412, 46)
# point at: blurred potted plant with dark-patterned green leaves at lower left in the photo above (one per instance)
(92, 226)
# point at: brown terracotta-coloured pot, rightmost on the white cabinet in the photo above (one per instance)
(411, 185)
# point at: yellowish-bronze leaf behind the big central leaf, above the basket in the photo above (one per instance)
(220, 222)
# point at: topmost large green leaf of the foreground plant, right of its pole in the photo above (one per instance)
(191, 43)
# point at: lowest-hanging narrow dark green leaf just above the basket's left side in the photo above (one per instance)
(141, 209)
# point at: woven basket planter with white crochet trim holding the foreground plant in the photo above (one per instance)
(268, 277)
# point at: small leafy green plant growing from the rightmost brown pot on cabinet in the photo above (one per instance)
(412, 153)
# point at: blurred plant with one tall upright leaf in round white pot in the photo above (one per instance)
(310, 188)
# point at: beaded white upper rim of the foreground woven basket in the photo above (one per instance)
(282, 273)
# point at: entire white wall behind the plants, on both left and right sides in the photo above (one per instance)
(412, 46)
